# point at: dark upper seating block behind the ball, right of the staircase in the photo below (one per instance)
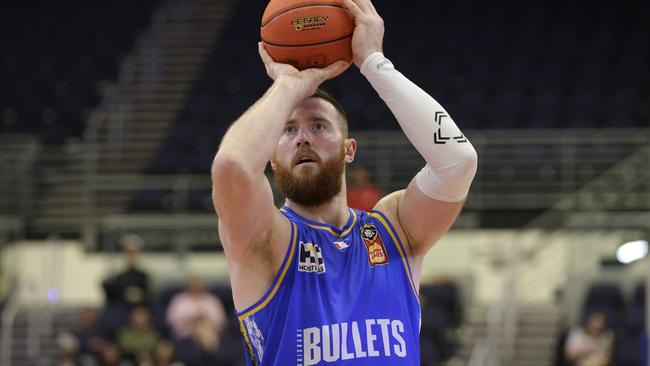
(544, 65)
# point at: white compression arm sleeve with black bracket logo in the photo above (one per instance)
(451, 158)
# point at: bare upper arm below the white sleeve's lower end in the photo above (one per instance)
(425, 219)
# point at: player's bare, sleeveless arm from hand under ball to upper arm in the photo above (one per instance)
(242, 195)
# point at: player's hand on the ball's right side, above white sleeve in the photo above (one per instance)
(369, 30)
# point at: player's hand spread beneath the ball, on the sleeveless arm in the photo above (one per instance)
(305, 82)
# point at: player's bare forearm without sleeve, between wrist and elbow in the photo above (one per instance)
(251, 140)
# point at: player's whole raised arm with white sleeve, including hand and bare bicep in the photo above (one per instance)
(433, 200)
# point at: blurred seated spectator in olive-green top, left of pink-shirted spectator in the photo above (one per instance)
(139, 339)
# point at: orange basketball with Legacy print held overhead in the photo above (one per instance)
(307, 33)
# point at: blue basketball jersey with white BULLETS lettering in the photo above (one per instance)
(342, 296)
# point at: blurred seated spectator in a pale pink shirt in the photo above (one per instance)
(197, 314)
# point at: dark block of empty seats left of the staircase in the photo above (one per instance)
(55, 56)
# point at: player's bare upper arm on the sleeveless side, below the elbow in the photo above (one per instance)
(244, 204)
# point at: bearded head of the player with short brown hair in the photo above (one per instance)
(309, 161)
